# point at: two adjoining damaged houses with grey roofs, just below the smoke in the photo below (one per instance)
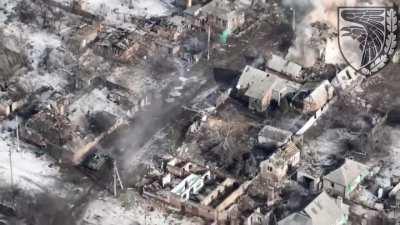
(261, 88)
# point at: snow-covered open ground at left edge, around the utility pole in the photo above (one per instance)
(33, 173)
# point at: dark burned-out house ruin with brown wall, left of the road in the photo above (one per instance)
(60, 138)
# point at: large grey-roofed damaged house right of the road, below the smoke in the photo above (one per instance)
(261, 88)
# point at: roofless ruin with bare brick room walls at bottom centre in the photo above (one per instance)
(197, 190)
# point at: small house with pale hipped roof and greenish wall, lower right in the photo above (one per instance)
(344, 180)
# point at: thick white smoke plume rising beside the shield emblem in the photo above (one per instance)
(305, 50)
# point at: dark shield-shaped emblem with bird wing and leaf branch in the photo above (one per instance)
(367, 37)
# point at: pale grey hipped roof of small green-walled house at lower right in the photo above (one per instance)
(349, 171)
